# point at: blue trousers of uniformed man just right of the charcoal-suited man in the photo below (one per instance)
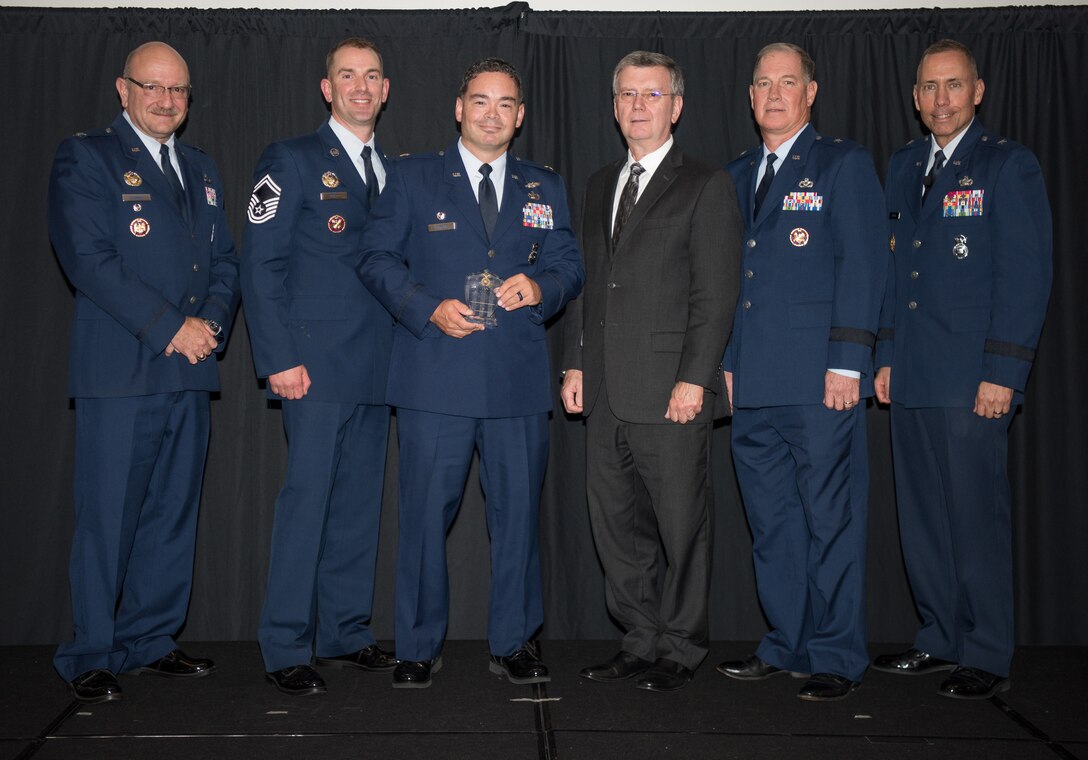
(803, 474)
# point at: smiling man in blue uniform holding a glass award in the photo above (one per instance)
(475, 223)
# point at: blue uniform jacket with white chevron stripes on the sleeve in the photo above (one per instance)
(303, 298)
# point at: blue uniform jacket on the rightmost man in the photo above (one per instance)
(971, 275)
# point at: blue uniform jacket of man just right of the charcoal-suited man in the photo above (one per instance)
(812, 275)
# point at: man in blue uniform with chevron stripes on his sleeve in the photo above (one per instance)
(324, 344)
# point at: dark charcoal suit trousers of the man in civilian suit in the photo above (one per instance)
(651, 502)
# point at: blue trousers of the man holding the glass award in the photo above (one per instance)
(436, 455)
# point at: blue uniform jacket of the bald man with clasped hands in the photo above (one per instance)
(138, 266)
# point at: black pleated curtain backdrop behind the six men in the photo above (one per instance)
(256, 76)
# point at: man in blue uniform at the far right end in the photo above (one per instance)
(971, 241)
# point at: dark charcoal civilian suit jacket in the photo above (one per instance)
(658, 309)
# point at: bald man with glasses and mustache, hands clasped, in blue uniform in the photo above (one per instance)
(137, 219)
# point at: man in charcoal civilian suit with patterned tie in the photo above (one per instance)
(661, 236)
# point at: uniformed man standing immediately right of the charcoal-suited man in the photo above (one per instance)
(798, 366)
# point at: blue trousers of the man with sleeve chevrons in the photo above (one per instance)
(325, 538)
